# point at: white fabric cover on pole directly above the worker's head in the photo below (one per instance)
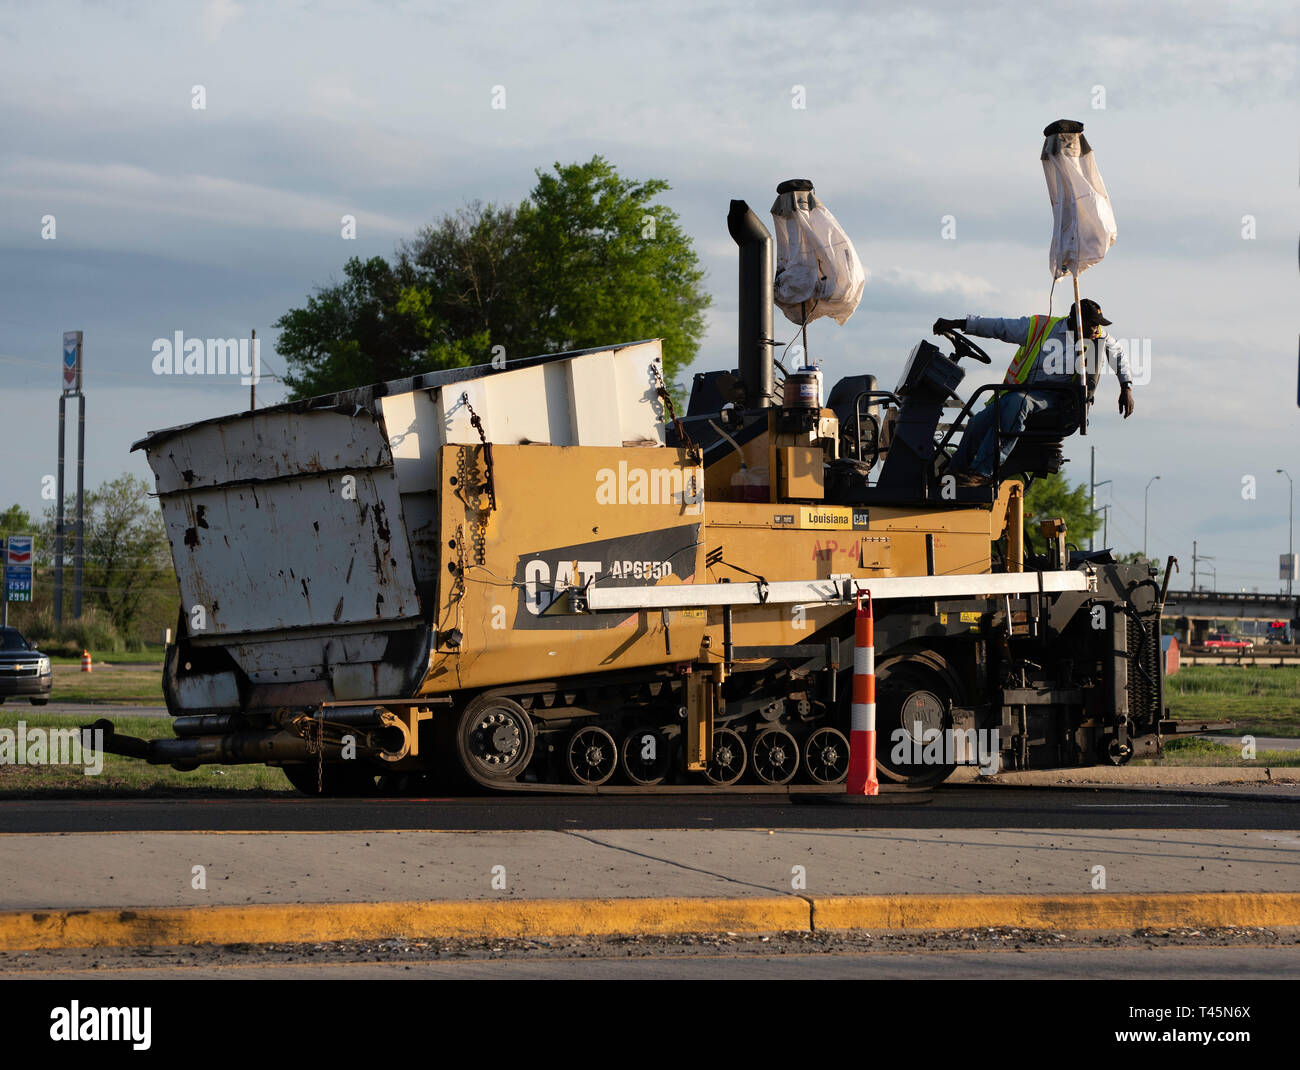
(1084, 226)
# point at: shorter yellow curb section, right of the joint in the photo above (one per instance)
(1080, 912)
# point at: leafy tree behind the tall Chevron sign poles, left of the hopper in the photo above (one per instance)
(128, 561)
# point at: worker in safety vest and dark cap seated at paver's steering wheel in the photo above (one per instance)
(1045, 344)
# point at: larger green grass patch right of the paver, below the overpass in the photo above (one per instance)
(1258, 700)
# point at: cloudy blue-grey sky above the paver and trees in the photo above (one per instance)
(218, 220)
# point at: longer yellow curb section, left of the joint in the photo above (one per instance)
(274, 924)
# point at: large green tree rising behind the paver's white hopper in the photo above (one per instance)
(590, 259)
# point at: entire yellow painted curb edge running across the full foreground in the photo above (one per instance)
(291, 924)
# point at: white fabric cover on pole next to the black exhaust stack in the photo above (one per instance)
(818, 270)
